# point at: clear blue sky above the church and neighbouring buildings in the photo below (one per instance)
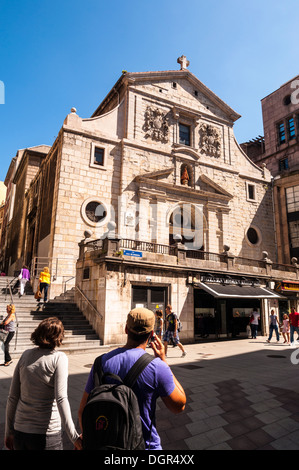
(58, 54)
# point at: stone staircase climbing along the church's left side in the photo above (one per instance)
(79, 334)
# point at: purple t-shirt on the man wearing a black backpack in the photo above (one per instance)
(155, 381)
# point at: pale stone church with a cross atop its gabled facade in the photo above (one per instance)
(172, 209)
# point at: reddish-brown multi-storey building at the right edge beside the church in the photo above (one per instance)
(278, 151)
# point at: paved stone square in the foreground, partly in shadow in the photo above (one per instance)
(242, 394)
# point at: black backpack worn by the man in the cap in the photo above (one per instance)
(111, 417)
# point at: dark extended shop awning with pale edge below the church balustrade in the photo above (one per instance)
(237, 291)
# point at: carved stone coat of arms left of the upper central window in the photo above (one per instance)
(156, 124)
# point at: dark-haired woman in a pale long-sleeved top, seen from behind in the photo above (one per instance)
(38, 401)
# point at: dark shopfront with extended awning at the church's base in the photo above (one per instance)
(223, 305)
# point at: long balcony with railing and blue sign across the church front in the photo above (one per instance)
(176, 257)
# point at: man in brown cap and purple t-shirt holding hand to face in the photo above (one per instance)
(155, 381)
